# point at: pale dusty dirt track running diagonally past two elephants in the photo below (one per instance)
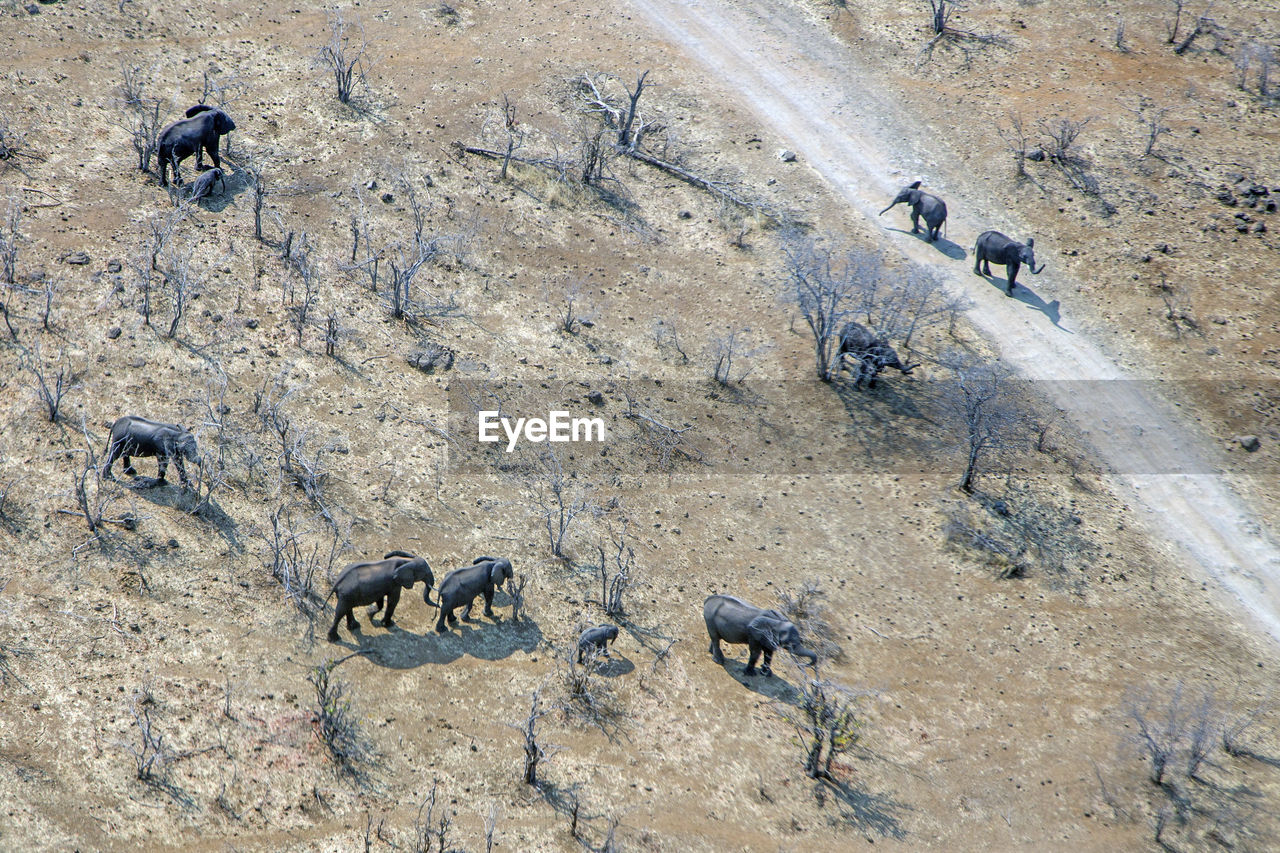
(804, 85)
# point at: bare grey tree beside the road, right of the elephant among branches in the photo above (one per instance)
(988, 421)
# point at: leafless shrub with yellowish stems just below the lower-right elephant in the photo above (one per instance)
(826, 720)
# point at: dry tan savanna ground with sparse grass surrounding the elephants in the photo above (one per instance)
(161, 674)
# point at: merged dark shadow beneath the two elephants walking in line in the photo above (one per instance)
(400, 650)
